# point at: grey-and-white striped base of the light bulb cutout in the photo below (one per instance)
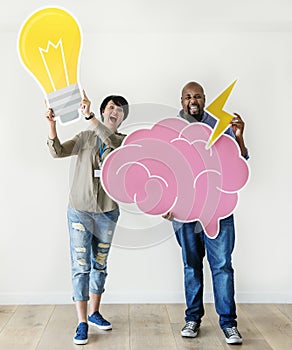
(65, 103)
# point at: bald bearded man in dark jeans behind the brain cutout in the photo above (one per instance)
(194, 242)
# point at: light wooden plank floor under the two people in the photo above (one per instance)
(139, 327)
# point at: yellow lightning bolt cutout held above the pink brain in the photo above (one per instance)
(224, 118)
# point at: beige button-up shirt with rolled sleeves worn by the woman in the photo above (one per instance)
(86, 192)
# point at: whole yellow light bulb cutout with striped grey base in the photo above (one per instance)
(49, 45)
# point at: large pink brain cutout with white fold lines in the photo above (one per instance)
(168, 168)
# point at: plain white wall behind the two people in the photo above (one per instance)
(147, 50)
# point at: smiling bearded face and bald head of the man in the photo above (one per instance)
(193, 100)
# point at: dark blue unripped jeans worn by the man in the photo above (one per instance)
(194, 242)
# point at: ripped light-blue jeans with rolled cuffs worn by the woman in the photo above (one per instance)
(91, 235)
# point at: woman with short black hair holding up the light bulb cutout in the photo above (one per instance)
(92, 215)
